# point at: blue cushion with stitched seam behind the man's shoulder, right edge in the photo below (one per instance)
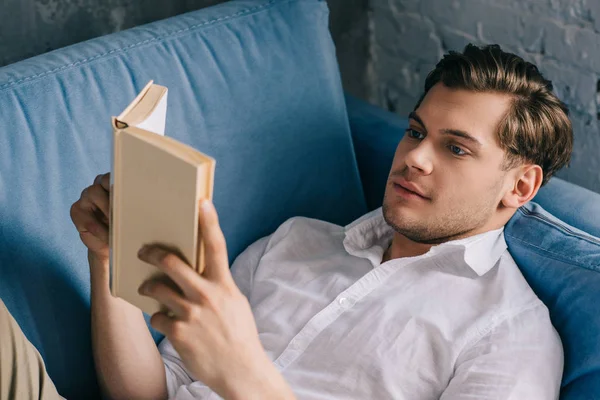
(562, 265)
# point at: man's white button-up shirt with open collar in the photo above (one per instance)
(459, 322)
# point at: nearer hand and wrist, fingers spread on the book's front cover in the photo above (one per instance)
(211, 325)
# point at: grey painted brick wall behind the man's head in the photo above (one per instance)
(562, 37)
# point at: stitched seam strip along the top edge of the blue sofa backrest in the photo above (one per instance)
(246, 11)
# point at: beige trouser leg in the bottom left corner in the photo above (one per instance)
(22, 371)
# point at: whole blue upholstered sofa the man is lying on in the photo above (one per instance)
(254, 83)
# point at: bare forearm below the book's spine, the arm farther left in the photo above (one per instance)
(127, 361)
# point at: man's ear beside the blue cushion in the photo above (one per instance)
(527, 180)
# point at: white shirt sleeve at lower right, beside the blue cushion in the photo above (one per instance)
(520, 358)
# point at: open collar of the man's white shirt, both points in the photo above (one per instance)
(369, 236)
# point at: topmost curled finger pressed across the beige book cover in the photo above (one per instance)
(194, 287)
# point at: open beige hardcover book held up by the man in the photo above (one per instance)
(157, 184)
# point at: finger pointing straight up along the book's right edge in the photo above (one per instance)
(215, 247)
